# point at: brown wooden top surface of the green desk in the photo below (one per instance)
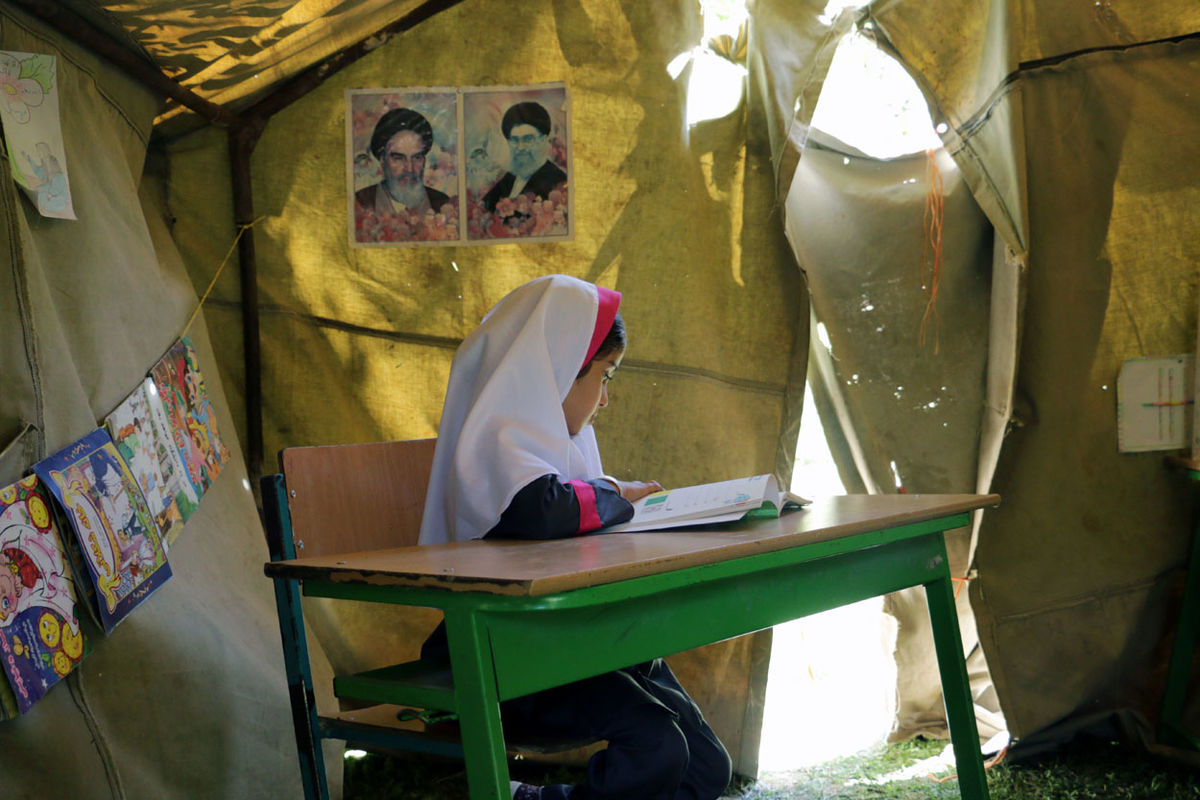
(536, 569)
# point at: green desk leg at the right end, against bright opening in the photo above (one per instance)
(957, 690)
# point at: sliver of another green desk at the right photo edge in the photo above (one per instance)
(1171, 721)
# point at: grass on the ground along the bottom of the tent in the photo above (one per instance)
(1088, 769)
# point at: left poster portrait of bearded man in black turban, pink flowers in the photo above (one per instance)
(404, 173)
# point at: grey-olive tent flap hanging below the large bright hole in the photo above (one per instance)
(901, 371)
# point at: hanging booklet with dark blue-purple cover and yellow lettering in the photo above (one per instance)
(127, 558)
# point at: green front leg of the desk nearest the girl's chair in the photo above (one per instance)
(479, 708)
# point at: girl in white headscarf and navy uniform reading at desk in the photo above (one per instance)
(518, 459)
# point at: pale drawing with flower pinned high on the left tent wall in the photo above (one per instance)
(31, 117)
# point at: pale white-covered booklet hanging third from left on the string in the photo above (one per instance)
(142, 434)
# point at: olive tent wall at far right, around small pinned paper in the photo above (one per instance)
(1114, 279)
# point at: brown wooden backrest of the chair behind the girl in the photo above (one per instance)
(350, 498)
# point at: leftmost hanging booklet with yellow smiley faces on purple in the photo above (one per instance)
(40, 636)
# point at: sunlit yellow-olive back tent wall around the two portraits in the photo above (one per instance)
(682, 220)
